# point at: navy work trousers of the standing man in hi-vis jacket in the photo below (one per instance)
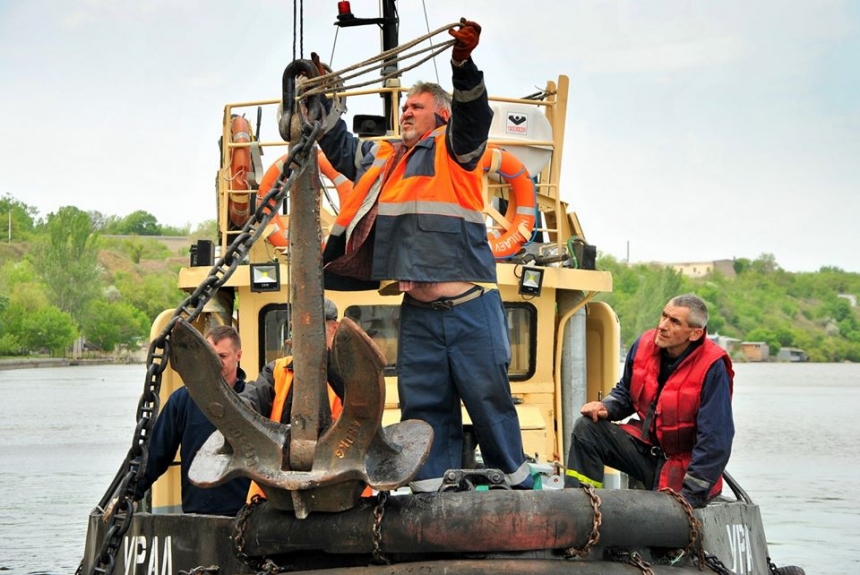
(461, 353)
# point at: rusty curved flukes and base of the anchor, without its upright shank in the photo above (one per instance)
(353, 452)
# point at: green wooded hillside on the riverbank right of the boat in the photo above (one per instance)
(814, 311)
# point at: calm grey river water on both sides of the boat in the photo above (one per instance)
(65, 431)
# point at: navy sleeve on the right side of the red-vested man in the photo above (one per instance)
(715, 433)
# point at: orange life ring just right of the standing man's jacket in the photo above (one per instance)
(522, 202)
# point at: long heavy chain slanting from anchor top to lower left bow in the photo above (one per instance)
(121, 494)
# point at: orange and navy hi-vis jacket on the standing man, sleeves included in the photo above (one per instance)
(427, 202)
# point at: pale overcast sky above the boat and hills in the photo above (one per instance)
(697, 129)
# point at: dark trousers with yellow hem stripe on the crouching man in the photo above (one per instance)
(594, 445)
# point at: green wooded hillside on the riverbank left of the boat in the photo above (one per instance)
(61, 278)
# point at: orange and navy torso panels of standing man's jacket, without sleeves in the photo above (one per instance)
(430, 226)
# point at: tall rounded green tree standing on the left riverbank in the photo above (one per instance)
(66, 260)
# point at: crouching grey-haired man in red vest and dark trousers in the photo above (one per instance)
(679, 384)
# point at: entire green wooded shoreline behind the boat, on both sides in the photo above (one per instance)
(62, 277)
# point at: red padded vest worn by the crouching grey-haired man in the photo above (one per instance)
(677, 405)
